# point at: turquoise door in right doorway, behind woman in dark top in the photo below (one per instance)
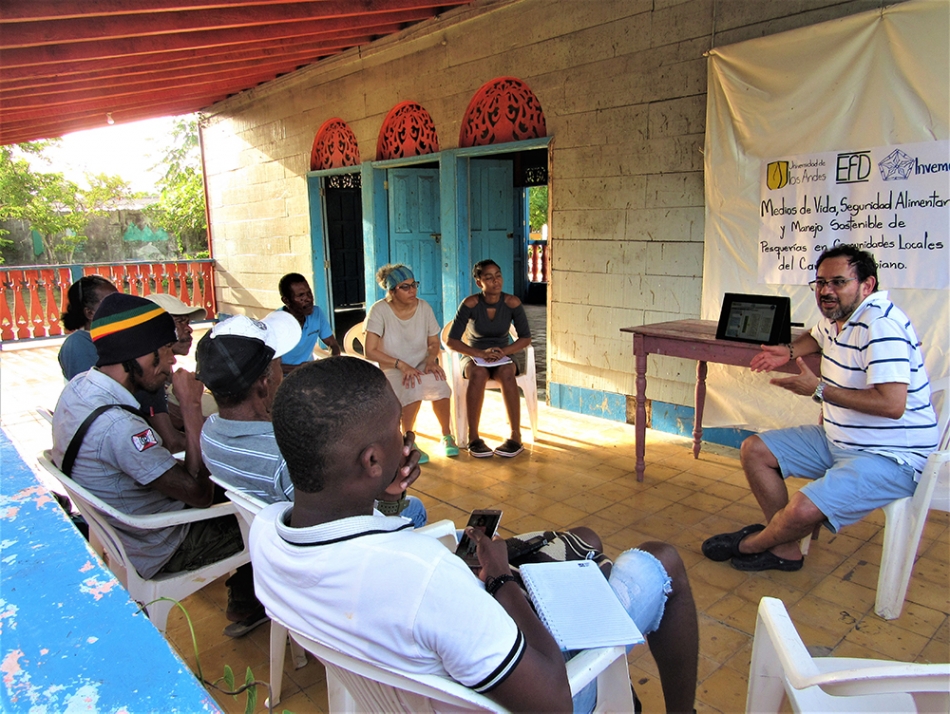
(492, 220)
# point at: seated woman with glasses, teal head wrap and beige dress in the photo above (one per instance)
(402, 337)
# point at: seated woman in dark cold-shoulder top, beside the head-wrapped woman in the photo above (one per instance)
(484, 319)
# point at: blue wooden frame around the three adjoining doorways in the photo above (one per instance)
(454, 214)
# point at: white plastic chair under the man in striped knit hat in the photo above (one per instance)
(172, 585)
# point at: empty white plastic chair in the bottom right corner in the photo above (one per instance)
(781, 666)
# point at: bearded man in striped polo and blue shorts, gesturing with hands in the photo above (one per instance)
(878, 426)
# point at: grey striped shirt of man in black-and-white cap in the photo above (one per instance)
(244, 454)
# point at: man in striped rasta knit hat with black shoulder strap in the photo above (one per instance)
(102, 440)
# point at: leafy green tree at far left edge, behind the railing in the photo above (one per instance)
(58, 209)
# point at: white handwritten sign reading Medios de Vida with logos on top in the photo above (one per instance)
(893, 201)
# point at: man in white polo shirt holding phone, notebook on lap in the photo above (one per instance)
(333, 568)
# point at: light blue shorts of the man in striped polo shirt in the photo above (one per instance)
(847, 484)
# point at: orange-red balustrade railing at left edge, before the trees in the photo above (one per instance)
(32, 297)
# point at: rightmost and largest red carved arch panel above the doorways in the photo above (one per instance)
(504, 109)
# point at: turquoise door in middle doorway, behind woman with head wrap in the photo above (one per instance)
(415, 237)
